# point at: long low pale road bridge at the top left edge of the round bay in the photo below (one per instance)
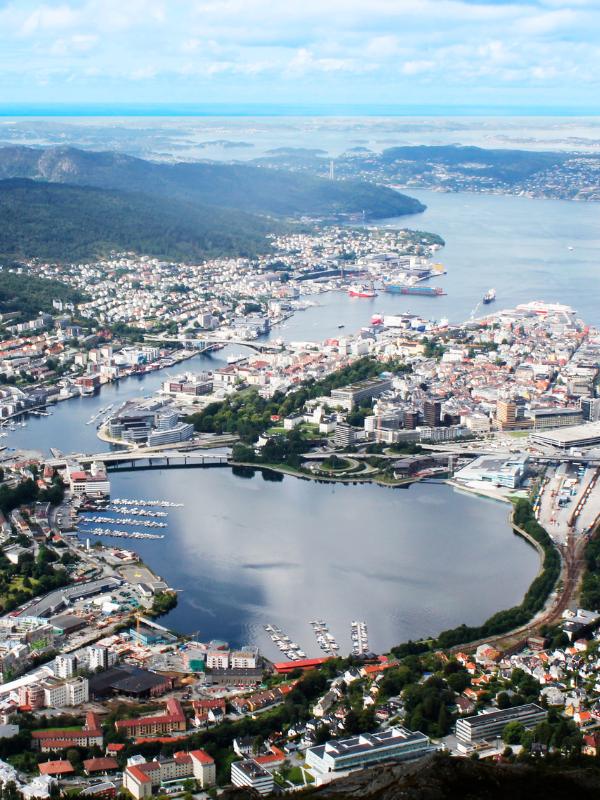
(126, 460)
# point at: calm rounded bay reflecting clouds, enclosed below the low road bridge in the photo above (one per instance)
(249, 551)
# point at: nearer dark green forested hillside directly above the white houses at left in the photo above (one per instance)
(70, 223)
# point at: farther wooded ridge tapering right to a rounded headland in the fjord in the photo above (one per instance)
(249, 188)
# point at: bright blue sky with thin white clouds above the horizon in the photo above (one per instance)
(495, 53)
